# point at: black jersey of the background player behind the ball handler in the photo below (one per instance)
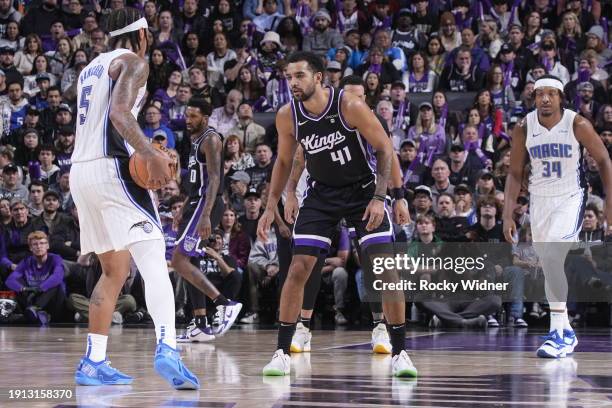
(197, 171)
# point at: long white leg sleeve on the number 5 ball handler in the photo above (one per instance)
(149, 257)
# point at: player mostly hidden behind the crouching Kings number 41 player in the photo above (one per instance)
(353, 85)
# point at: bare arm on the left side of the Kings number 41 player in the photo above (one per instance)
(282, 167)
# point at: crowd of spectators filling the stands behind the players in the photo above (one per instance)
(454, 155)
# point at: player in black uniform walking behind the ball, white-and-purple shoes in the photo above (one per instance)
(202, 210)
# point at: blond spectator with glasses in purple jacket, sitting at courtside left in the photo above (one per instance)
(39, 281)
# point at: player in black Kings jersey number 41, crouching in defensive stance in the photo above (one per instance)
(337, 133)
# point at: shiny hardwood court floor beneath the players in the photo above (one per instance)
(456, 369)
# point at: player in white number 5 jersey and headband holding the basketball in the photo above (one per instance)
(118, 218)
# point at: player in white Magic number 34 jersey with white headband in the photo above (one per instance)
(552, 138)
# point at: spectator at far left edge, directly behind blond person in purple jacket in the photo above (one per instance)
(14, 243)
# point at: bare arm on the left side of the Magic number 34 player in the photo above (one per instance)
(518, 157)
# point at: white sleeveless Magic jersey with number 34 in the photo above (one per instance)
(556, 157)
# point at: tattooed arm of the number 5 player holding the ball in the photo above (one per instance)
(132, 76)
